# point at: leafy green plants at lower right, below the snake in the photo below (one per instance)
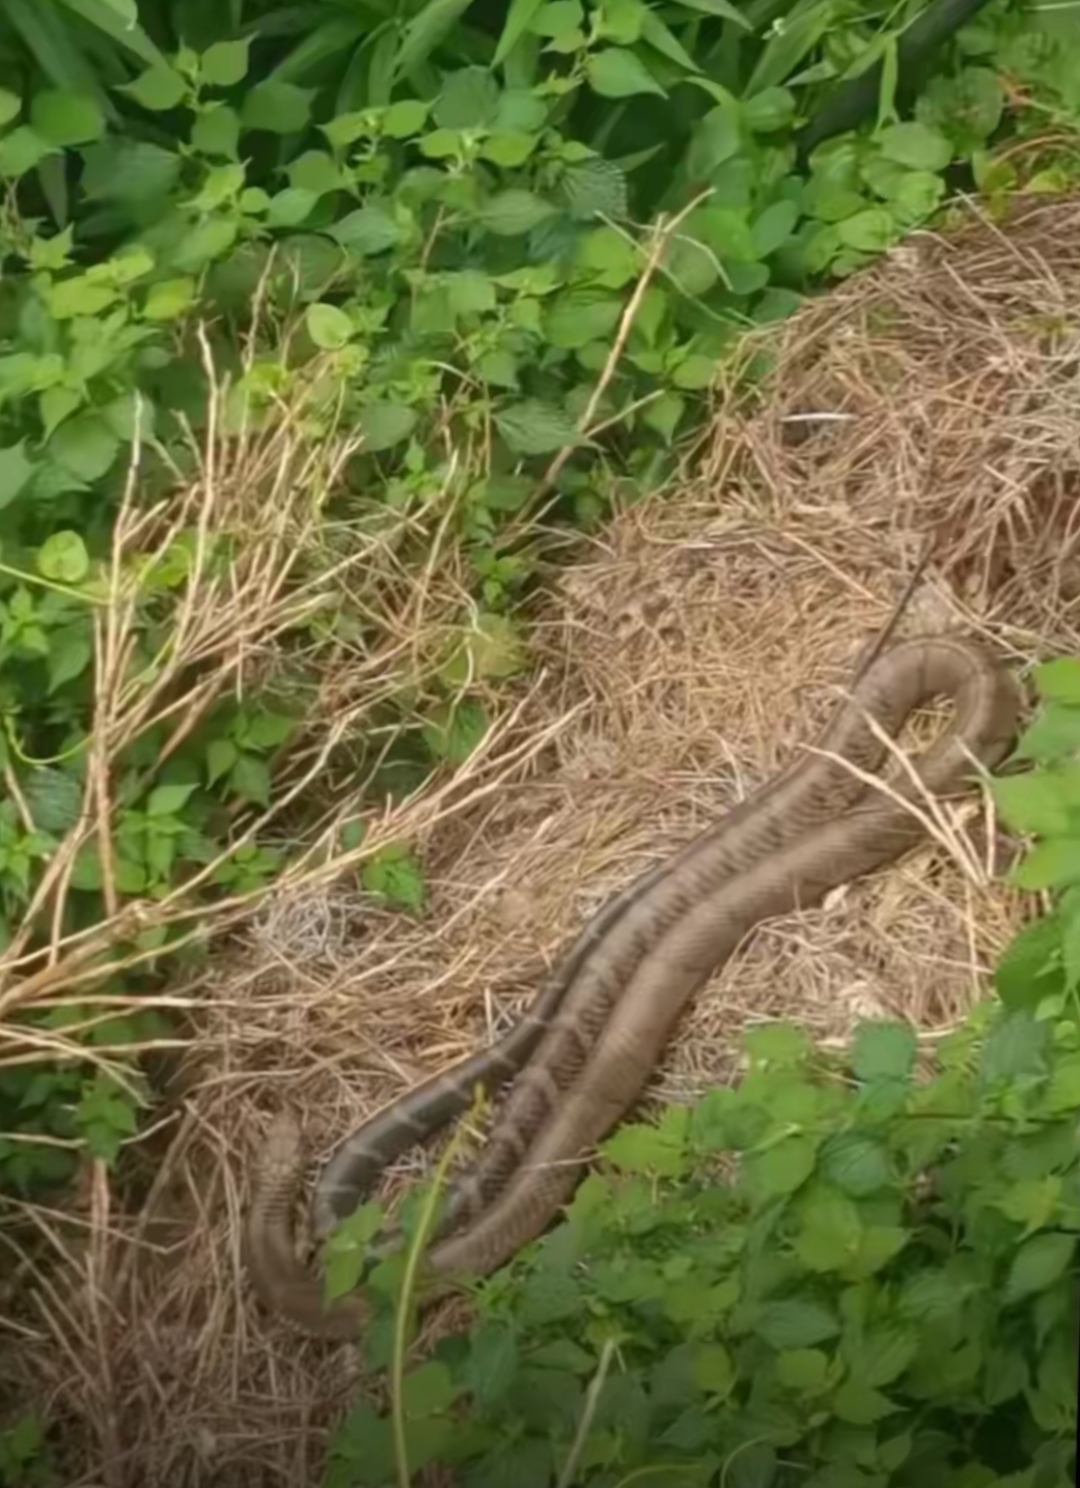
(841, 1273)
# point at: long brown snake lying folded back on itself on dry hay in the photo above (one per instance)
(599, 1029)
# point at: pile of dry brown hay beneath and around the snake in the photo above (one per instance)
(687, 657)
